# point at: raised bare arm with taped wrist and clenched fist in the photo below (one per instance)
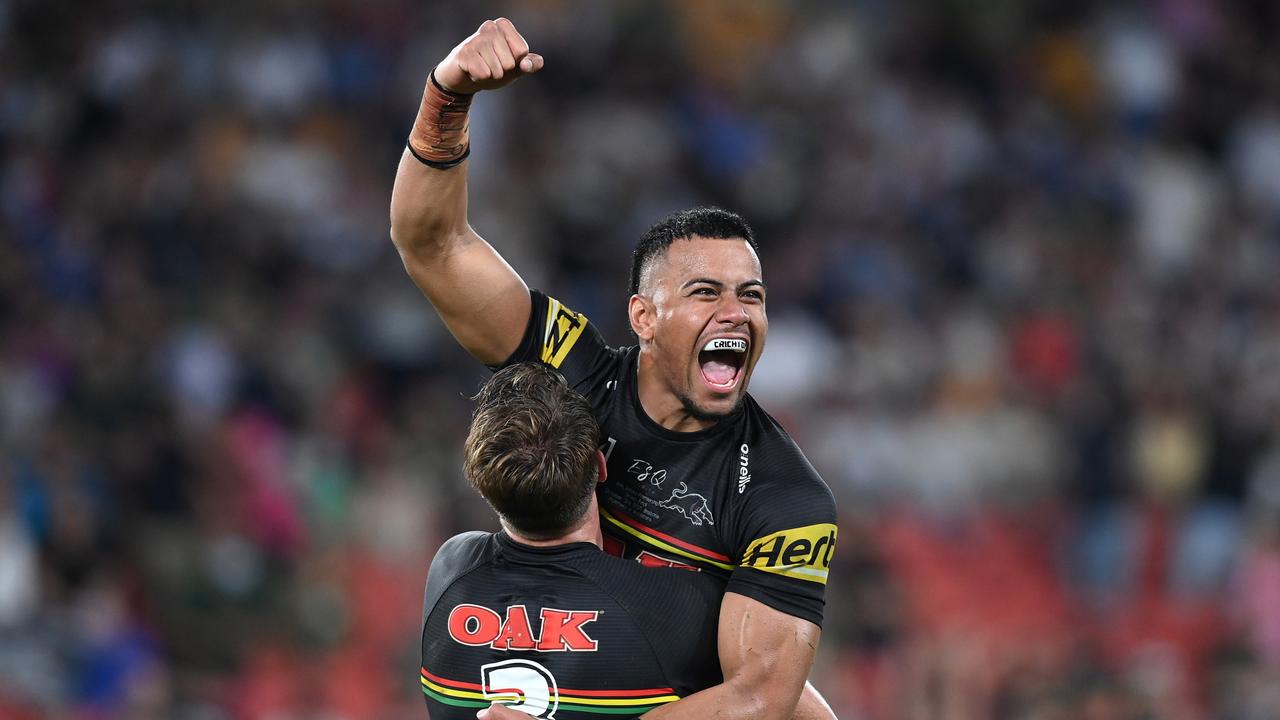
(479, 297)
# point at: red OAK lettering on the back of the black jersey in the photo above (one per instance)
(561, 630)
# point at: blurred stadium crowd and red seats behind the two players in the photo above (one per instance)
(1025, 309)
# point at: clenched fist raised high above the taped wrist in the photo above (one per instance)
(493, 57)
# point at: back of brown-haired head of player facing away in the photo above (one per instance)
(532, 452)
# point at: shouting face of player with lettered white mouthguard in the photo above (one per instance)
(710, 322)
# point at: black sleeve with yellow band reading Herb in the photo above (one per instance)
(785, 539)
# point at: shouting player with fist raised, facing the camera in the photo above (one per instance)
(703, 477)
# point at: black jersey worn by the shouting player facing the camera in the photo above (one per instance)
(738, 500)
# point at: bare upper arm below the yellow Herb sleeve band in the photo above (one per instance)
(766, 649)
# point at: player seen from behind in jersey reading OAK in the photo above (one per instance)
(537, 614)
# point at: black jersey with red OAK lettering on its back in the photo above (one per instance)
(568, 631)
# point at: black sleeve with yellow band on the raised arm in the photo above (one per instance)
(565, 340)
